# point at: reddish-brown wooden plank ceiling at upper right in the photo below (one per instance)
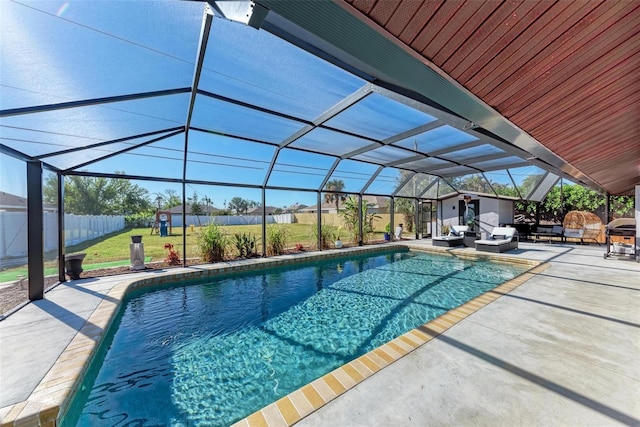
(565, 72)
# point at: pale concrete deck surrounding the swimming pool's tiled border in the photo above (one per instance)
(560, 349)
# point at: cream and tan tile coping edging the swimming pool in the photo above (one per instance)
(54, 393)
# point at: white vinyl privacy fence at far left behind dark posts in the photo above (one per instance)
(78, 228)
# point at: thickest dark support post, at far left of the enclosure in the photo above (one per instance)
(35, 225)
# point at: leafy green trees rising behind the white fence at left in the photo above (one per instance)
(99, 196)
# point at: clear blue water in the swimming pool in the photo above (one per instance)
(213, 353)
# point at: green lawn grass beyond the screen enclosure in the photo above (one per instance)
(112, 250)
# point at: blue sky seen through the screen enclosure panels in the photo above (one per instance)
(59, 51)
